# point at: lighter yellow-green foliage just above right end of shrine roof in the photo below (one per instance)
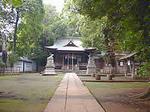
(91, 32)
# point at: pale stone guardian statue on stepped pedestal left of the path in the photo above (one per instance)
(50, 67)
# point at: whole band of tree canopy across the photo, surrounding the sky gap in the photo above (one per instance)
(108, 25)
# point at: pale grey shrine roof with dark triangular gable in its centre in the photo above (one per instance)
(67, 44)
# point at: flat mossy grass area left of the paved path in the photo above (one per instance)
(26, 92)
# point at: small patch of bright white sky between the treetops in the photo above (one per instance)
(59, 4)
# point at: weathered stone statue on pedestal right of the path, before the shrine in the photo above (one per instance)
(91, 67)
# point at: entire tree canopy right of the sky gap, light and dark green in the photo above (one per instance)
(126, 28)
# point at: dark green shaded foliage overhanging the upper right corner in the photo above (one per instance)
(127, 26)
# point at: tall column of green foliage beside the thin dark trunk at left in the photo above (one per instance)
(30, 27)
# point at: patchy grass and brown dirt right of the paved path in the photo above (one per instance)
(120, 97)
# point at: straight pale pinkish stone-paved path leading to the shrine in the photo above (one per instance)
(72, 96)
